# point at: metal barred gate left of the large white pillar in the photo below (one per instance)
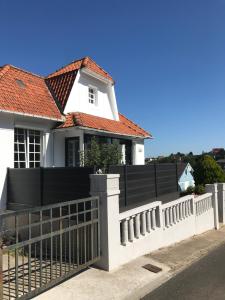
(41, 247)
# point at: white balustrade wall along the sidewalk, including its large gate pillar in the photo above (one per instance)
(135, 232)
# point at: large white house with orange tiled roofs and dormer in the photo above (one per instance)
(47, 121)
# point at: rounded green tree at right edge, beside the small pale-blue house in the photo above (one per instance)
(208, 171)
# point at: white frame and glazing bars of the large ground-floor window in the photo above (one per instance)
(27, 144)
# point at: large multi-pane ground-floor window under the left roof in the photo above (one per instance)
(27, 148)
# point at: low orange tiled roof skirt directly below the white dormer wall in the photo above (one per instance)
(123, 127)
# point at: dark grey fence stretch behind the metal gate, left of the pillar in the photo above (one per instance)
(43, 186)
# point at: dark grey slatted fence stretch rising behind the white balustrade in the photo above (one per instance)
(147, 183)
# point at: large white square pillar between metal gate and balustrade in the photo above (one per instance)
(106, 186)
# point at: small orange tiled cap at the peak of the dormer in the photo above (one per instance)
(81, 63)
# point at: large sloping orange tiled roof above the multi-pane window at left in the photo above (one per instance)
(26, 93)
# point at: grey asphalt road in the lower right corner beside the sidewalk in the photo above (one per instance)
(203, 280)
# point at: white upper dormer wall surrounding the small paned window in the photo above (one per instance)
(78, 101)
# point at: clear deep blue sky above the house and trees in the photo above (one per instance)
(166, 56)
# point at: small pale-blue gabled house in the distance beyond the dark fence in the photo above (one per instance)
(185, 177)
